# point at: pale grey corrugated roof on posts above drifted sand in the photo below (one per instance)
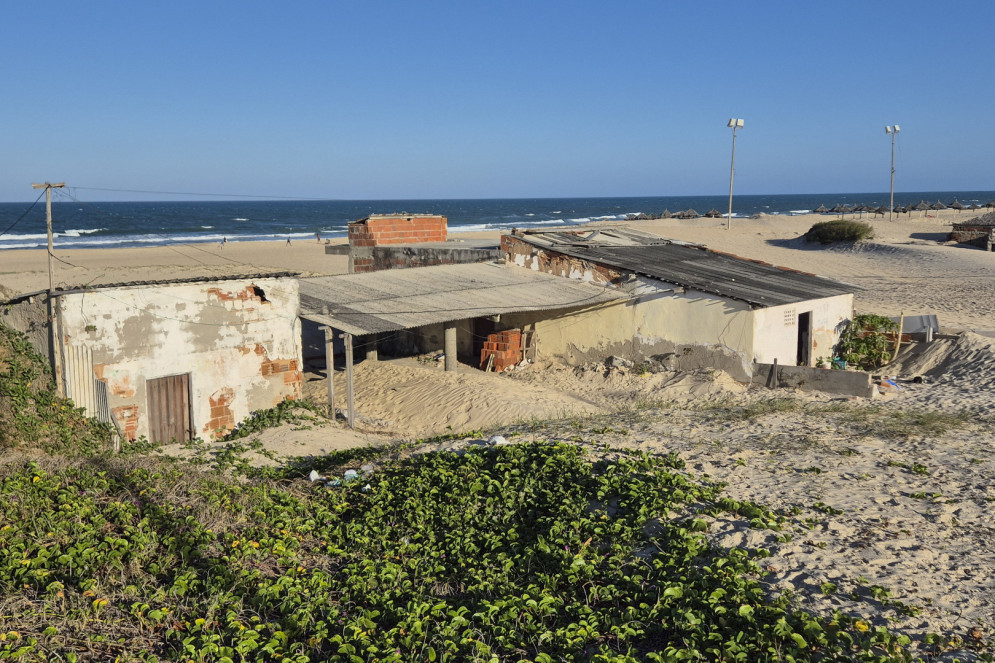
(408, 298)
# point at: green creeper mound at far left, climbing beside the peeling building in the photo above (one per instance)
(31, 414)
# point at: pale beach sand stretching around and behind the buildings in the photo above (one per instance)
(887, 502)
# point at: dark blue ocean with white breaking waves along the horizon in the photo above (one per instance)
(79, 224)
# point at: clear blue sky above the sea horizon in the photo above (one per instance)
(422, 99)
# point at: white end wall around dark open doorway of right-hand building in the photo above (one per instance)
(776, 329)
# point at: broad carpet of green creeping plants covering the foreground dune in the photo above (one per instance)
(526, 552)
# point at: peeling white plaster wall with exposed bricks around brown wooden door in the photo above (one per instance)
(239, 340)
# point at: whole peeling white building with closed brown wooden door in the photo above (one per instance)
(174, 359)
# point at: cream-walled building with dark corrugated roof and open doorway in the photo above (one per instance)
(685, 301)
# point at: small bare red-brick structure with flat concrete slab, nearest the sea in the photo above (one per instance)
(399, 241)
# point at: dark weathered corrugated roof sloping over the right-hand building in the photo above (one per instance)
(694, 266)
